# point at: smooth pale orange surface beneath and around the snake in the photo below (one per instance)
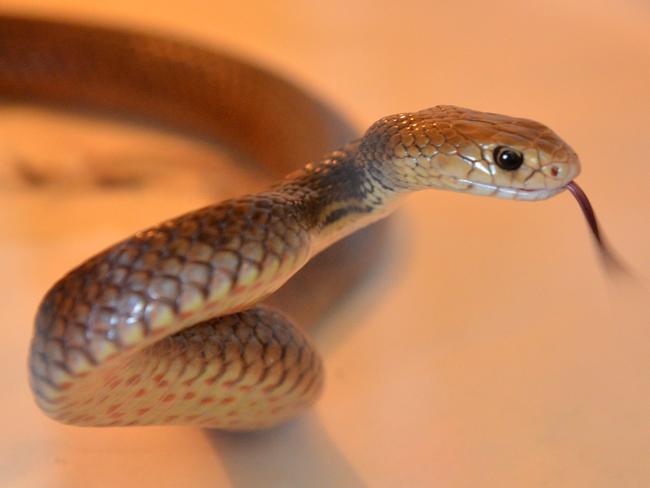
(493, 351)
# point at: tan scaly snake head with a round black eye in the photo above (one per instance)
(469, 151)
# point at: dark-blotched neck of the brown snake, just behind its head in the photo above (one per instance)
(340, 194)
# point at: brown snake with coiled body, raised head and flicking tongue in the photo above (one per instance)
(175, 324)
